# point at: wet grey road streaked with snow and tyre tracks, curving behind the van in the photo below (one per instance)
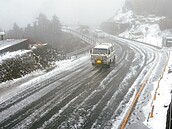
(79, 95)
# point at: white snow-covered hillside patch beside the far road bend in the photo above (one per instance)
(142, 28)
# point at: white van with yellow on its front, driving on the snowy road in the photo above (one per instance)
(103, 54)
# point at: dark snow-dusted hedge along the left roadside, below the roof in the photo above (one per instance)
(21, 64)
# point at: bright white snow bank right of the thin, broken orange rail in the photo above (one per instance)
(162, 101)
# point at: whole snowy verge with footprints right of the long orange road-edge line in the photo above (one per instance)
(152, 105)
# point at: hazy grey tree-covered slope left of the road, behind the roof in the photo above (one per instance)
(48, 31)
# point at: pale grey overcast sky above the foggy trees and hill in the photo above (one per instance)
(90, 12)
